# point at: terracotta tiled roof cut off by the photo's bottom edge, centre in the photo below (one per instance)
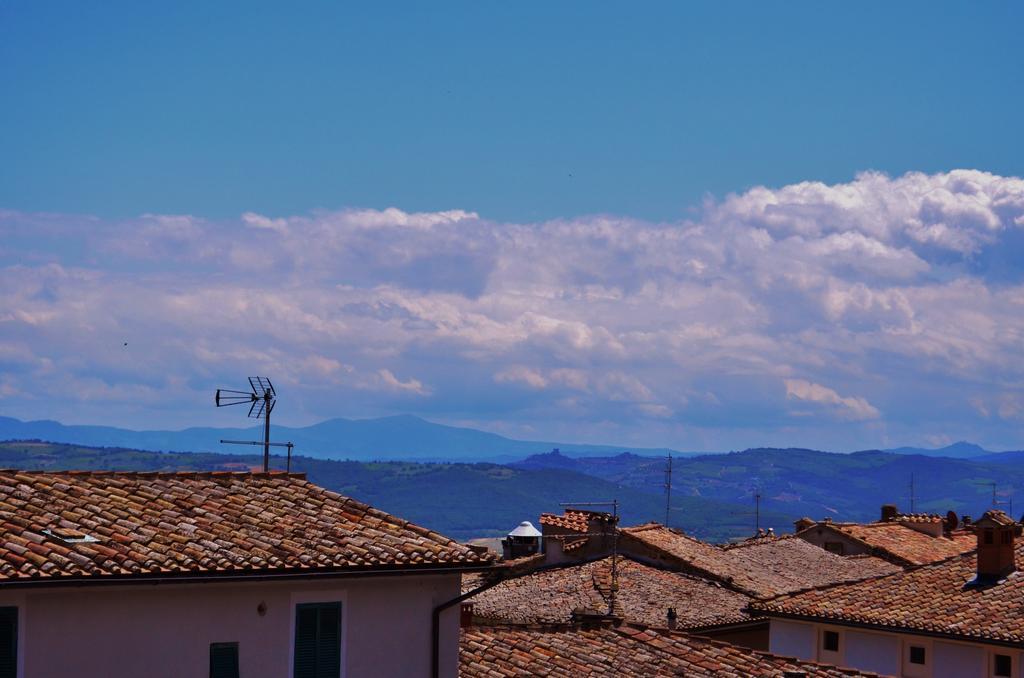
(626, 652)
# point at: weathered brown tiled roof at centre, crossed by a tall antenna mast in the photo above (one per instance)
(645, 596)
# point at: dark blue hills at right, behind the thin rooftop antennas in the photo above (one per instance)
(818, 484)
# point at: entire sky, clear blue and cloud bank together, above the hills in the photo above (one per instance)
(703, 226)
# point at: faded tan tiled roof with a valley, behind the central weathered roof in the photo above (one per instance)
(764, 568)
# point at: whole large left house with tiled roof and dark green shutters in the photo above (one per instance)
(220, 575)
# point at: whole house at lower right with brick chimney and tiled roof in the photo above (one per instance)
(960, 618)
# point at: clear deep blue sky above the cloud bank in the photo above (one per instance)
(517, 111)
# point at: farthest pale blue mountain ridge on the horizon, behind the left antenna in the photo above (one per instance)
(390, 438)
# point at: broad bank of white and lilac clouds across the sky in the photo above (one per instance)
(910, 288)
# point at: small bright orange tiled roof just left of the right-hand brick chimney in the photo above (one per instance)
(904, 544)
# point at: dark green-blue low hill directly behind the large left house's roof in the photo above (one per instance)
(459, 500)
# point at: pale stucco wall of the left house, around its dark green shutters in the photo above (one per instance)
(166, 630)
